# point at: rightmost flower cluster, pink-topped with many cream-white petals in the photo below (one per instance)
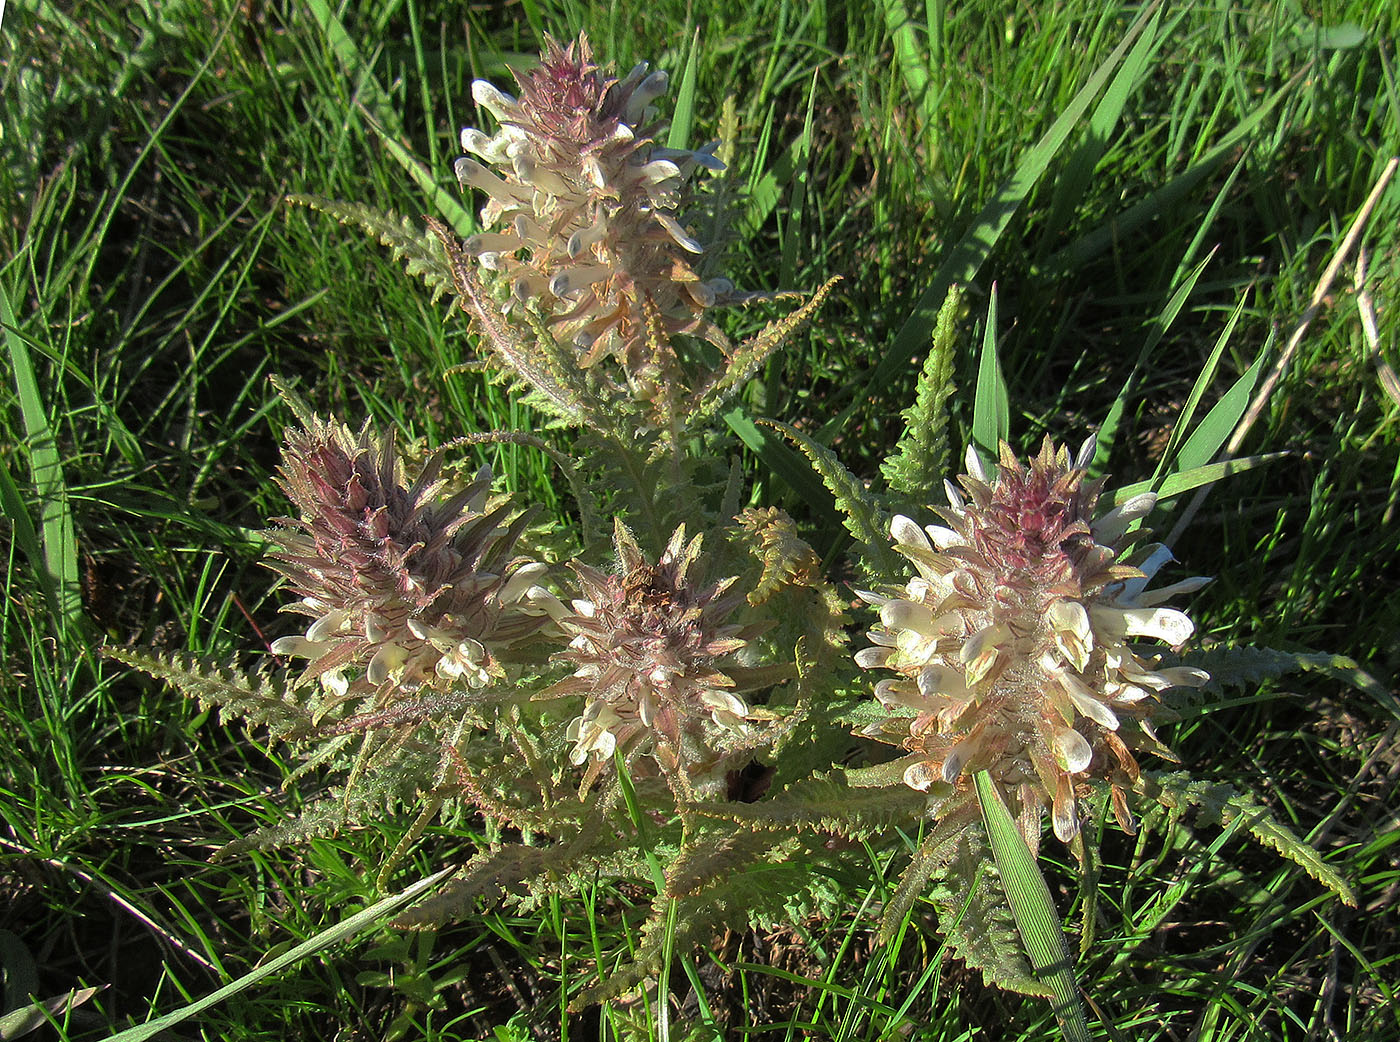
(1016, 648)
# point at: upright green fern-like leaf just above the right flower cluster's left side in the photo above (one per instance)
(919, 464)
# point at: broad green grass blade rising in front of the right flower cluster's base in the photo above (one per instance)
(1034, 910)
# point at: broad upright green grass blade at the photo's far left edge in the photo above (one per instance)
(57, 533)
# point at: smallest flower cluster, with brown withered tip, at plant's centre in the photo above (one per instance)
(654, 652)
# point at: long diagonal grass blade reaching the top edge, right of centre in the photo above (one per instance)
(967, 258)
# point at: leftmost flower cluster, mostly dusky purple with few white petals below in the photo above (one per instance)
(405, 588)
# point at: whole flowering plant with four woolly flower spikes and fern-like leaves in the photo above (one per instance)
(597, 704)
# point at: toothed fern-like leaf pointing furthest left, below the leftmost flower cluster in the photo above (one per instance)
(261, 700)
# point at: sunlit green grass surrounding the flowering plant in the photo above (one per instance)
(157, 281)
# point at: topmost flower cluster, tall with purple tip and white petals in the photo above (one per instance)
(583, 215)
